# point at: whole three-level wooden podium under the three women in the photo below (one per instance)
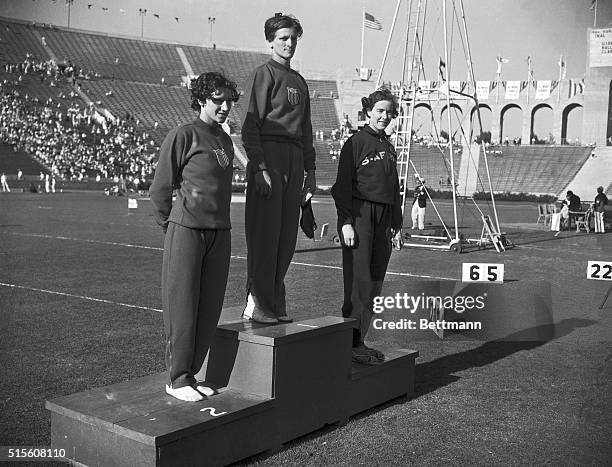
(274, 384)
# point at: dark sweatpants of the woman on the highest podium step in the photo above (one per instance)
(271, 226)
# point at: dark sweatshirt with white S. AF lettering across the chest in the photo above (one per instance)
(367, 170)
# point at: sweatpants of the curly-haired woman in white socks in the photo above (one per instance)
(194, 277)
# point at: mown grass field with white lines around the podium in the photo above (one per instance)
(80, 308)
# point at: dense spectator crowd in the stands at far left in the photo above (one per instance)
(77, 142)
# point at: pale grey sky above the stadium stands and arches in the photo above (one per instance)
(513, 29)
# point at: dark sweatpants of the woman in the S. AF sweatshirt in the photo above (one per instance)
(364, 266)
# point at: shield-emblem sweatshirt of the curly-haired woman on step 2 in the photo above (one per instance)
(196, 159)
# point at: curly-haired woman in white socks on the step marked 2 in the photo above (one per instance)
(196, 159)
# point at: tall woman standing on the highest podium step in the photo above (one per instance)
(277, 137)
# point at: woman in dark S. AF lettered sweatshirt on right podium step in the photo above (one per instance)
(368, 203)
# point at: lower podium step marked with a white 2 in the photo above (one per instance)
(137, 424)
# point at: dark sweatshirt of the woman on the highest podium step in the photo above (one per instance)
(277, 109)
